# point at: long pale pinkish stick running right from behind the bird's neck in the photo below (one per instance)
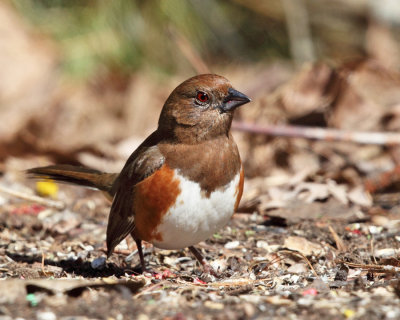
(377, 138)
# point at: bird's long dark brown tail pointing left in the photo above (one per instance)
(76, 175)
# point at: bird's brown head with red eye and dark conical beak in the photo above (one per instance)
(200, 108)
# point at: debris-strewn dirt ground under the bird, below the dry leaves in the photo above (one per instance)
(337, 263)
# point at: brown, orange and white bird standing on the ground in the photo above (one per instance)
(183, 183)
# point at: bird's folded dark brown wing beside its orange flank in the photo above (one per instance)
(141, 164)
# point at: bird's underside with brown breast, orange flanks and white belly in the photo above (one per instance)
(191, 196)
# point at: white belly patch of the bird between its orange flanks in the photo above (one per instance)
(196, 217)
